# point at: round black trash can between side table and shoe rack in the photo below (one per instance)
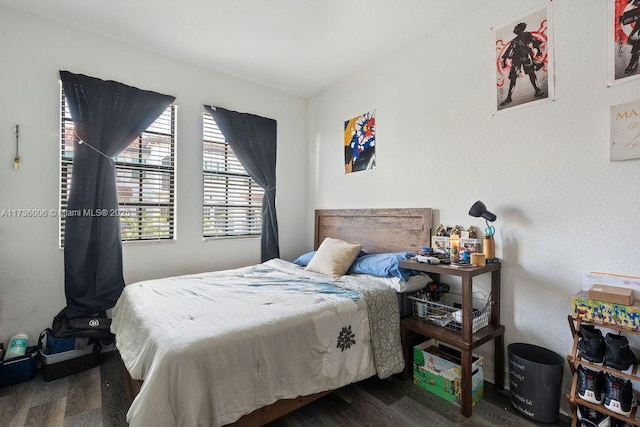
(535, 381)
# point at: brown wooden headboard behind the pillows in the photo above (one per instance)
(377, 230)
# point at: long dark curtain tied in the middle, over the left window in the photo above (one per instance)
(108, 116)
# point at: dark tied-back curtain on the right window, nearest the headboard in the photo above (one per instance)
(253, 140)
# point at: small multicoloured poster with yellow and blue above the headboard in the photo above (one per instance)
(360, 143)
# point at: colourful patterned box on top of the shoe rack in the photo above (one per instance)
(606, 312)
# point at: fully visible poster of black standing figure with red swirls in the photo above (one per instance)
(524, 60)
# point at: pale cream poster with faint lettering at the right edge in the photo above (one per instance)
(625, 131)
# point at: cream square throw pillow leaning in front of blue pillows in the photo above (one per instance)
(334, 257)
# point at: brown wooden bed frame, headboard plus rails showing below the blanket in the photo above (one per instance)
(377, 230)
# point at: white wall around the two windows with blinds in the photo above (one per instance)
(31, 264)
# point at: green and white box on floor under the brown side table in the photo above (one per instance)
(436, 368)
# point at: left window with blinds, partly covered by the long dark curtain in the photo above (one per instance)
(145, 178)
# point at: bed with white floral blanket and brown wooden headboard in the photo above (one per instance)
(249, 345)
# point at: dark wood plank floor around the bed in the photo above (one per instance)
(98, 398)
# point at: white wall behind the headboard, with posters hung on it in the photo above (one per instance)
(563, 208)
